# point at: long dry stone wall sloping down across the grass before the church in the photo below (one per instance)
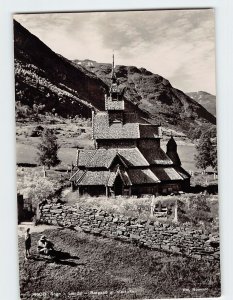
(174, 239)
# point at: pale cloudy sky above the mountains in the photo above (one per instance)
(177, 44)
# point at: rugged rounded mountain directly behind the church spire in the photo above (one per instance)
(153, 94)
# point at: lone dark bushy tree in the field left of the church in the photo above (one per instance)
(48, 148)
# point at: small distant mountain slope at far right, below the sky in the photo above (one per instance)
(206, 100)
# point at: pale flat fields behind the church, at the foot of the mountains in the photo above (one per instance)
(73, 135)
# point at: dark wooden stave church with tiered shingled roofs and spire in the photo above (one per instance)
(127, 159)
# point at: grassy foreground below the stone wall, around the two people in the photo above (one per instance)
(90, 267)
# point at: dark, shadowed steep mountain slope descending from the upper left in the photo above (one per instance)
(48, 82)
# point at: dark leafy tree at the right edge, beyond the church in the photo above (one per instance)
(207, 150)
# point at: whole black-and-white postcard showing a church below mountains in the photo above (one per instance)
(117, 178)
